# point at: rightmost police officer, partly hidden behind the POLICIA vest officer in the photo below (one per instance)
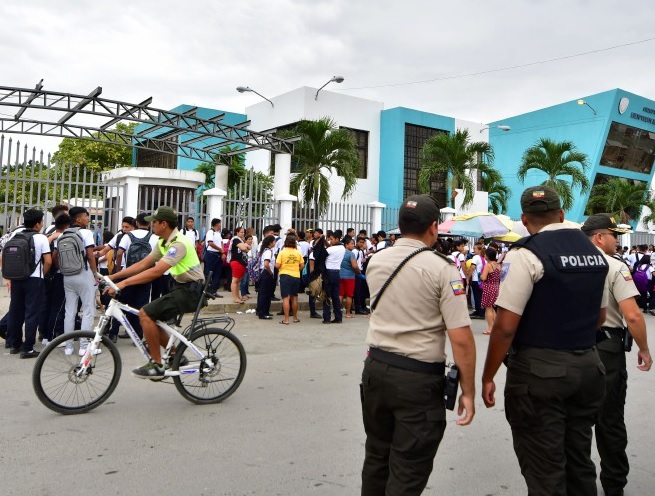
(611, 435)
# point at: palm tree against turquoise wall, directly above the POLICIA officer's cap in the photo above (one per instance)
(557, 158)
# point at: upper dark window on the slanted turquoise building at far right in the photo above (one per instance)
(629, 148)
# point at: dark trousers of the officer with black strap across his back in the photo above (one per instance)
(404, 419)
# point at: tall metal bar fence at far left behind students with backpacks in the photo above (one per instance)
(35, 181)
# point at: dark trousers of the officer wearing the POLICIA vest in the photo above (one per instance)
(552, 400)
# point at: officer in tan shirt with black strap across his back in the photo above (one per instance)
(403, 379)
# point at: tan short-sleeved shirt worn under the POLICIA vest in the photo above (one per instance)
(521, 270)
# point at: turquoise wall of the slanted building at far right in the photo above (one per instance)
(567, 121)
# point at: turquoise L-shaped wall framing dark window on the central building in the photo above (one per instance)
(392, 148)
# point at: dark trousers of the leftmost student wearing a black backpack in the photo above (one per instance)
(25, 307)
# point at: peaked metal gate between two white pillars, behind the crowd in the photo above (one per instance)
(250, 203)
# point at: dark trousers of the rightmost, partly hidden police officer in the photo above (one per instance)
(611, 434)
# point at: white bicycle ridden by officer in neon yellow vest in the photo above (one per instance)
(207, 366)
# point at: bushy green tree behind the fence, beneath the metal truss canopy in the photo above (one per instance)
(96, 155)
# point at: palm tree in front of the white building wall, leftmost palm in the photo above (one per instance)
(322, 150)
